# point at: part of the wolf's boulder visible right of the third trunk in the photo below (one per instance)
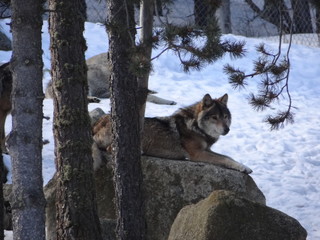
(170, 185)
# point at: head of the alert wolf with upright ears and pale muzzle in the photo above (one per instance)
(214, 117)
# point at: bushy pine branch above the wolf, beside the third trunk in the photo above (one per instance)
(196, 47)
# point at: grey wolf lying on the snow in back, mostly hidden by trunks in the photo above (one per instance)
(98, 75)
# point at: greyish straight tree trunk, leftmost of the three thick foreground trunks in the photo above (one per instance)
(25, 141)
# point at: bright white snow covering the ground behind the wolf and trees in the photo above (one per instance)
(285, 163)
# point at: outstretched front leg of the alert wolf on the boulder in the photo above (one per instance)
(221, 160)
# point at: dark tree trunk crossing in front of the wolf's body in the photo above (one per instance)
(125, 122)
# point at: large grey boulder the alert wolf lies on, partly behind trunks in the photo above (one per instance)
(169, 185)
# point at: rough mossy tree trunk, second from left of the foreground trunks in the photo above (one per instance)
(75, 195)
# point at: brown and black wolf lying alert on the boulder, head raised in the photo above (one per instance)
(188, 134)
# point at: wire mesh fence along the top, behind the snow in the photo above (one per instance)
(250, 18)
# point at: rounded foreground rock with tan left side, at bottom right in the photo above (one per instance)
(225, 215)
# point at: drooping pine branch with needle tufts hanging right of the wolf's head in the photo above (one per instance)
(274, 82)
